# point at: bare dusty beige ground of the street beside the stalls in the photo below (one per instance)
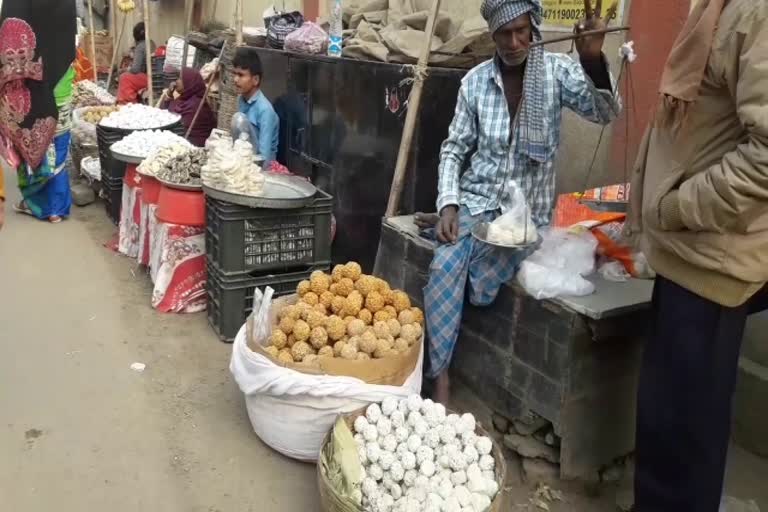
(79, 430)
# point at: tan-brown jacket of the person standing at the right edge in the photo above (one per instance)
(699, 200)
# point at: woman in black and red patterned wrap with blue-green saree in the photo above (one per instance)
(37, 48)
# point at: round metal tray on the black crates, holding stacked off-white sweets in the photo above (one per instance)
(280, 193)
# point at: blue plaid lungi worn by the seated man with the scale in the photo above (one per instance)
(483, 267)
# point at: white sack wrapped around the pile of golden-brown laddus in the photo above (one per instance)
(292, 411)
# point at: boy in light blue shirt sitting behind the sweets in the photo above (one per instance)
(265, 125)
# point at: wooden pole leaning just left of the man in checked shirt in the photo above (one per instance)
(414, 104)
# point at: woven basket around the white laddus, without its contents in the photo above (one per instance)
(332, 501)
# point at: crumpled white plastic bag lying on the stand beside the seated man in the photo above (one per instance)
(559, 266)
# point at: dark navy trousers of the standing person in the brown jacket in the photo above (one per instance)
(684, 401)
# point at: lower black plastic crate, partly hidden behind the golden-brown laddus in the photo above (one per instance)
(230, 297)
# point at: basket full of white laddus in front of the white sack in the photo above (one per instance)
(410, 455)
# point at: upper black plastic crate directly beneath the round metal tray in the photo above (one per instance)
(240, 239)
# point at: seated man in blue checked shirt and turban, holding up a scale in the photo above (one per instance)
(506, 127)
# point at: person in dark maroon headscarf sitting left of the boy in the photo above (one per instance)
(184, 98)
